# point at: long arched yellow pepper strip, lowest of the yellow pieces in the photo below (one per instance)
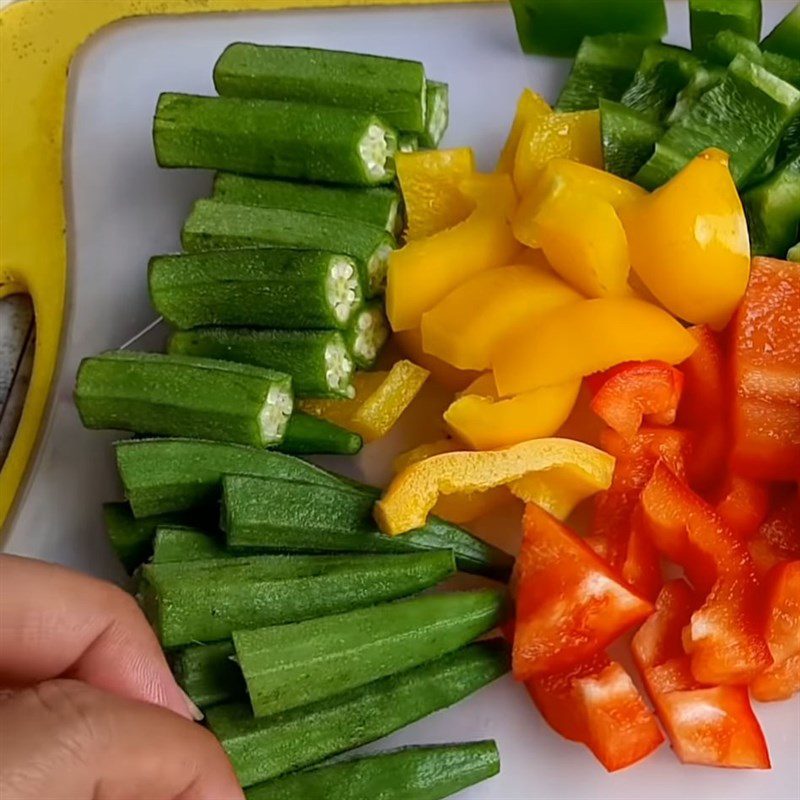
(414, 492)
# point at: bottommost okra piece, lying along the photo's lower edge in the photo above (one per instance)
(414, 773)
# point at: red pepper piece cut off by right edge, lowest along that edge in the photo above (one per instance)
(782, 679)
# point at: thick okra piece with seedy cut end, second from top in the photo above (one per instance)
(273, 139)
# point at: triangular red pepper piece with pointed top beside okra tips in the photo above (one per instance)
(570, 605)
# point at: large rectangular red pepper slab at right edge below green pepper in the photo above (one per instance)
(766, 372)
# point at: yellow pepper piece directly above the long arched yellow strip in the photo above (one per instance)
(486, 423)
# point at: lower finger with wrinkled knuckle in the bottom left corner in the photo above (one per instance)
(69, 740)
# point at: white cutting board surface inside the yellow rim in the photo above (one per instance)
(123, 209)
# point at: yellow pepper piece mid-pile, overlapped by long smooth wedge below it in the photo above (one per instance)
(465, 327)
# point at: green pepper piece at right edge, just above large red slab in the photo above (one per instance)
(773, 210)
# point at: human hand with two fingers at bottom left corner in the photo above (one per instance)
(91, 710)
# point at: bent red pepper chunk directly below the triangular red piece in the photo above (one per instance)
(597, 703)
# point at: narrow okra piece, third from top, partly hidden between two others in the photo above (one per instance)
(378, 206)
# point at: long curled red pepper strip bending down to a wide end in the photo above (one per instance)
(724, 639)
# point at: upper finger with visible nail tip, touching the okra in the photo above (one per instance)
(59, 623)
